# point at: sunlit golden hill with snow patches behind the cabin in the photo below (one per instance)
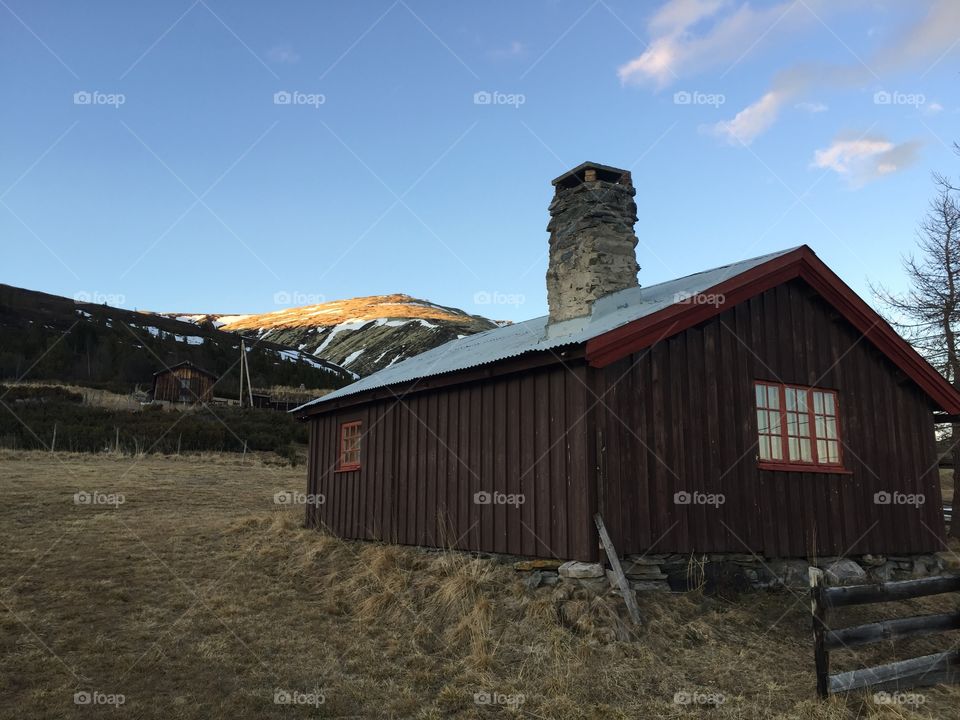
(362, 334)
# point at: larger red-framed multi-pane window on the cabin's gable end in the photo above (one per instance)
(799, 437)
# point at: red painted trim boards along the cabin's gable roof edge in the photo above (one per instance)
(800, 263)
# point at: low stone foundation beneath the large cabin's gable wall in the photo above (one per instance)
(726, 572)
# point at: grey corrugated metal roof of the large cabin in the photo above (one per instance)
(609, 313)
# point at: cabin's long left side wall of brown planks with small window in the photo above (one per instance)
(426, 456)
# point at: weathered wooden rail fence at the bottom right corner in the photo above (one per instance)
(943, 667)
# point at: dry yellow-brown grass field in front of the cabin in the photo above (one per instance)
(200, 597)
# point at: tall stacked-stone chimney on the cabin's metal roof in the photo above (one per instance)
(592, 243)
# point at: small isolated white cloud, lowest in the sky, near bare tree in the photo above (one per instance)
(865, 158)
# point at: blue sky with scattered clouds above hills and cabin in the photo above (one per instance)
(148, 160)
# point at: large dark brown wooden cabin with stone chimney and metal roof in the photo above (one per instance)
(757, 407)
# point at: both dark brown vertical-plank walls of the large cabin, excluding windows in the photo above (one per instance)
(679, 416)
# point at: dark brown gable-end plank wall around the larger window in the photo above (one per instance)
(680, 416)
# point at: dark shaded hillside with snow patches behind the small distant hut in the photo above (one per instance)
(56, 338)
